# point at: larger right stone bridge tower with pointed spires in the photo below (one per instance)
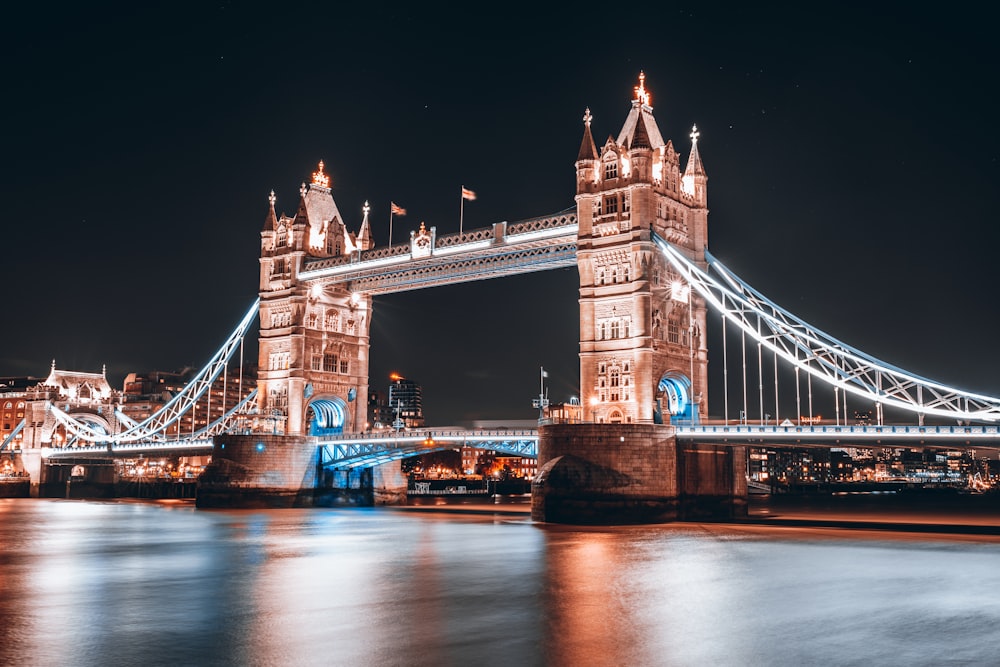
(643, 355)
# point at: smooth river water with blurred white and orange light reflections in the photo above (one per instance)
(161, 583)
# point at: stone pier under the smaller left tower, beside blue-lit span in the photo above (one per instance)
(270, 471)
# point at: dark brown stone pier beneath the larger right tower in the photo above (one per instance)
(633, 473)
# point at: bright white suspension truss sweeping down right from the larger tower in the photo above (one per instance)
(811, 350)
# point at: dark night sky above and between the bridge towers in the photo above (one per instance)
(851, 154)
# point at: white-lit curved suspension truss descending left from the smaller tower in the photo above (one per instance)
(156, 424)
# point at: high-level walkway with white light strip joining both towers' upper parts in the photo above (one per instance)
(539, 244)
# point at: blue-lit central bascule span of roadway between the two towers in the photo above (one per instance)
(367, 450)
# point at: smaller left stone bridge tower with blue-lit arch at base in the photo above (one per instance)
(314, 338)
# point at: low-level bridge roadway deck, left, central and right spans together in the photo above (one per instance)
(360, 450)
